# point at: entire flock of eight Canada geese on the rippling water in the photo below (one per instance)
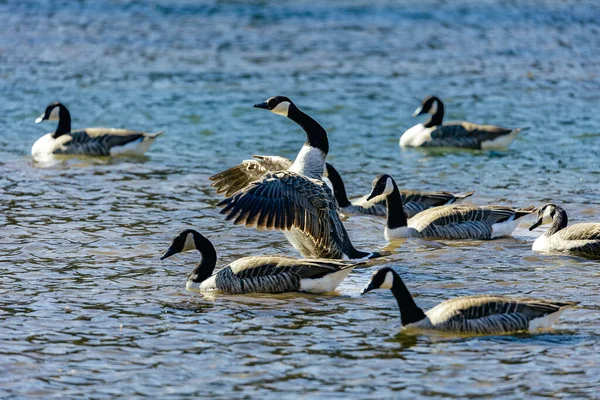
(274, 193)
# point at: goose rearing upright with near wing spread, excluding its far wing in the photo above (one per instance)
(296, 200)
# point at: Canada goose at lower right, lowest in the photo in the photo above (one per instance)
(470, 314)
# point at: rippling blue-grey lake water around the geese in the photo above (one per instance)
(88, 310)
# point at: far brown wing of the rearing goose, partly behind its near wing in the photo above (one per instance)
(239, 176)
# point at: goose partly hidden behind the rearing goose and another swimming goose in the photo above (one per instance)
(414, 201)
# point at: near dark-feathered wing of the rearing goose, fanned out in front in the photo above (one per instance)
(286, 200)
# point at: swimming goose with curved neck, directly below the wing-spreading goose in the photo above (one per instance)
(258, 274)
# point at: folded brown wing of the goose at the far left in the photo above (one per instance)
(97, 141)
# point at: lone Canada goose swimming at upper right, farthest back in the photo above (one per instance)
(454, 134)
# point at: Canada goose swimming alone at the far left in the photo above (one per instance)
(88, 141)
